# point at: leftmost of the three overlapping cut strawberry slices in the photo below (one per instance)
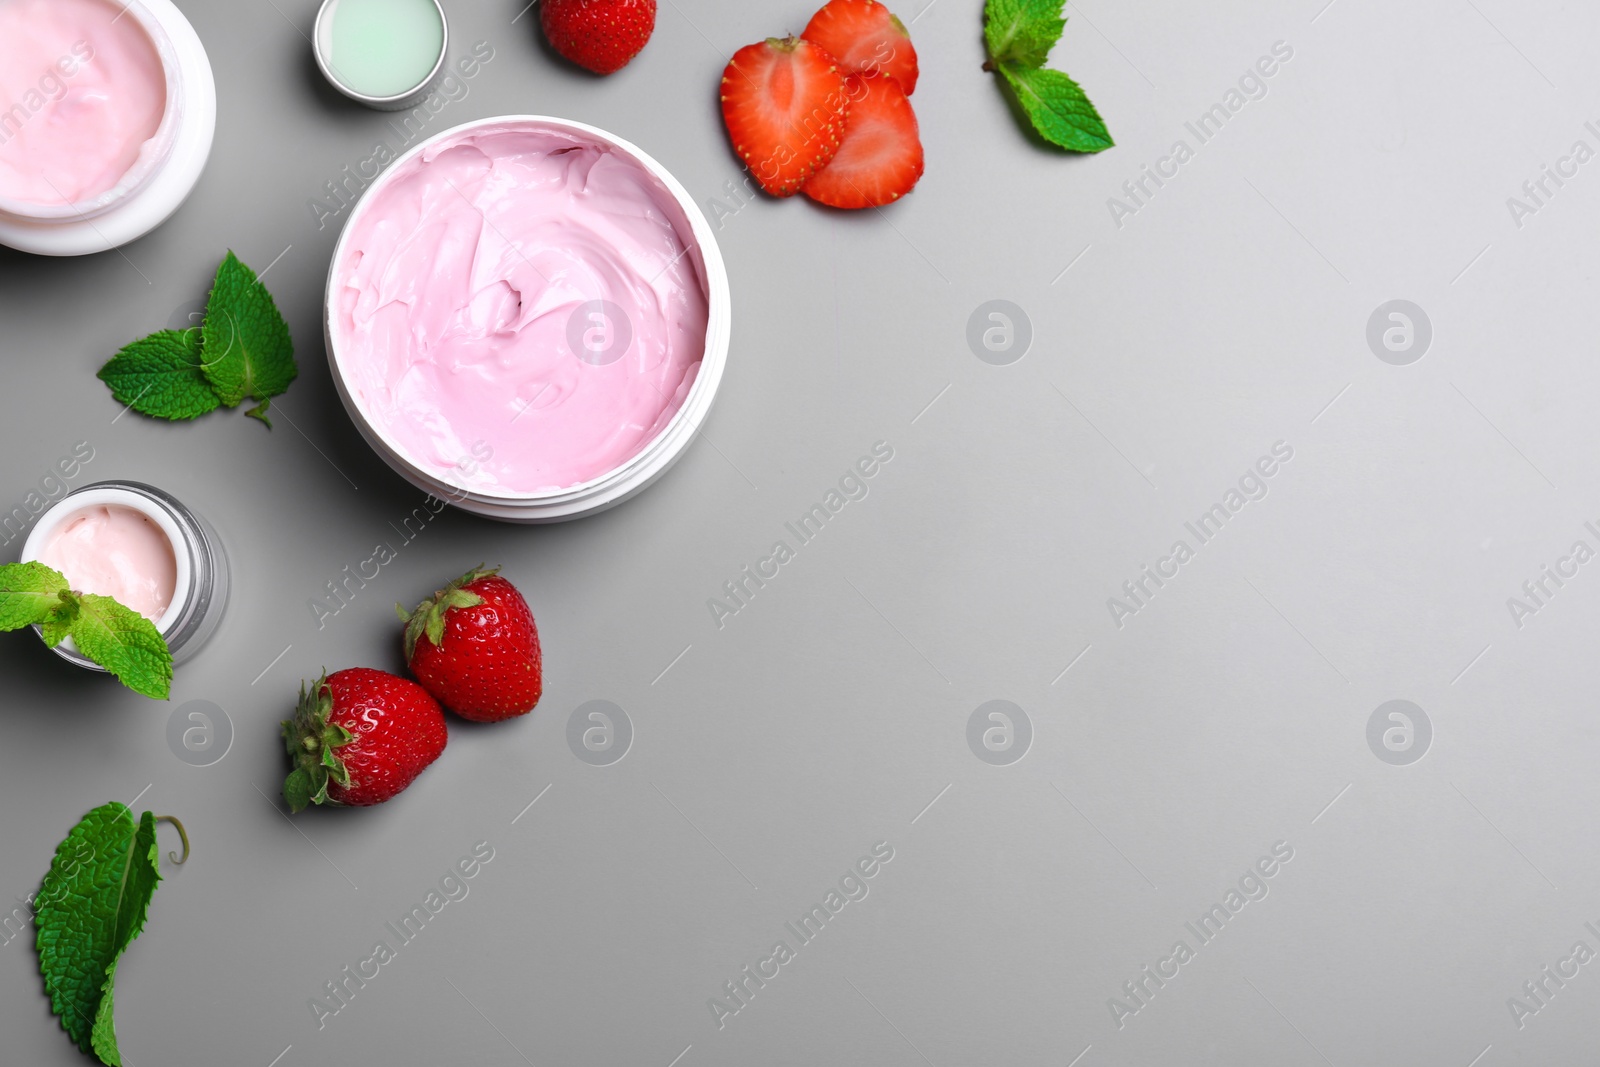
(785, 106)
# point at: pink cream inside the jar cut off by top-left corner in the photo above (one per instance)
(82, 94)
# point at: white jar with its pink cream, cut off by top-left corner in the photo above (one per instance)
(106, 121)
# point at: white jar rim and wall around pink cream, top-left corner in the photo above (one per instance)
(164, 175)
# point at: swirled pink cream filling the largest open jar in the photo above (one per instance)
(516, 310)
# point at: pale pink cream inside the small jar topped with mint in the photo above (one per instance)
(116, 553)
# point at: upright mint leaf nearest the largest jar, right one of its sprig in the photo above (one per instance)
(247, 353)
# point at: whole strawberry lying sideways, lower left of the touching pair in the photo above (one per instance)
(359, 738)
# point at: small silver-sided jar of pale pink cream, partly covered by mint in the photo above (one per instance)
(143, 548)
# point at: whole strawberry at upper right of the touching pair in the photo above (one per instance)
(476, 649)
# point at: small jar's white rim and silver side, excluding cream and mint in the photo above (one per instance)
(201, 591)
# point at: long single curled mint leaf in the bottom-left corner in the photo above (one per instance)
(92, 906)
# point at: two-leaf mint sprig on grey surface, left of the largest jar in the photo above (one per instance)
(242, 351)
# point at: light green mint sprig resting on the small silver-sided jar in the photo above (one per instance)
(116, 637)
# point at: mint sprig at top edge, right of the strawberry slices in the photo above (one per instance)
(1020, 36)
